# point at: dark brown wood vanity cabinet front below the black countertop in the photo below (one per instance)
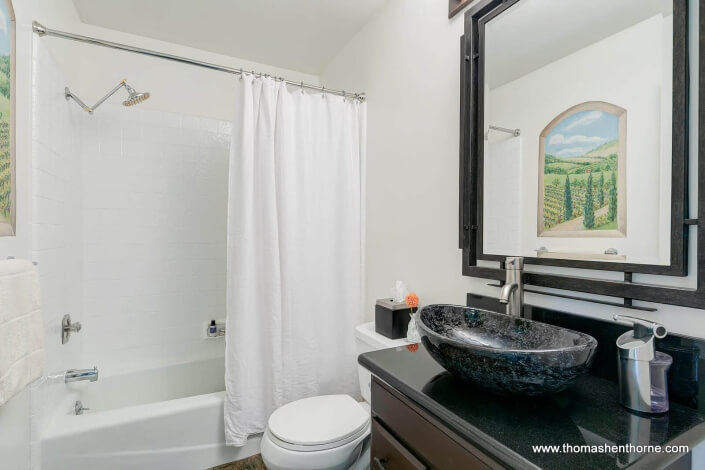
(405, 437)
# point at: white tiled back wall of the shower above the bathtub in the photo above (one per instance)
(154, 224)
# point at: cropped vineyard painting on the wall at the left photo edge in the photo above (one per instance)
(7, 119)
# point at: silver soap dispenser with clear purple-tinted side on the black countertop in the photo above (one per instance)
(643, 384)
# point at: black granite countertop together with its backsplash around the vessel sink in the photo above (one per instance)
(504, 429)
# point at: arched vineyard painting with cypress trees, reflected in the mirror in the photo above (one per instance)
(582, 174)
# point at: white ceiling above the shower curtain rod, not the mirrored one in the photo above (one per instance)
(301, 35)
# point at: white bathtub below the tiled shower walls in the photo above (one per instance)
(156, 419)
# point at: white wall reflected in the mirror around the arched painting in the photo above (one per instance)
(644, 90)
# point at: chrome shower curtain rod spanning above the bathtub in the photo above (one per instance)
(41, 30)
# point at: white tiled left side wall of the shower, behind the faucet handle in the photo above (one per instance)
(56, 227)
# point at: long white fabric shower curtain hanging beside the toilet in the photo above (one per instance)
(294, 250)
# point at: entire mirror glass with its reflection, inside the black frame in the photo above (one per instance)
(588, 84)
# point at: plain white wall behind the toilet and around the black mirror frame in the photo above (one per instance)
(407, 60)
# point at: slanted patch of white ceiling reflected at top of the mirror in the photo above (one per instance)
(535, 33)
